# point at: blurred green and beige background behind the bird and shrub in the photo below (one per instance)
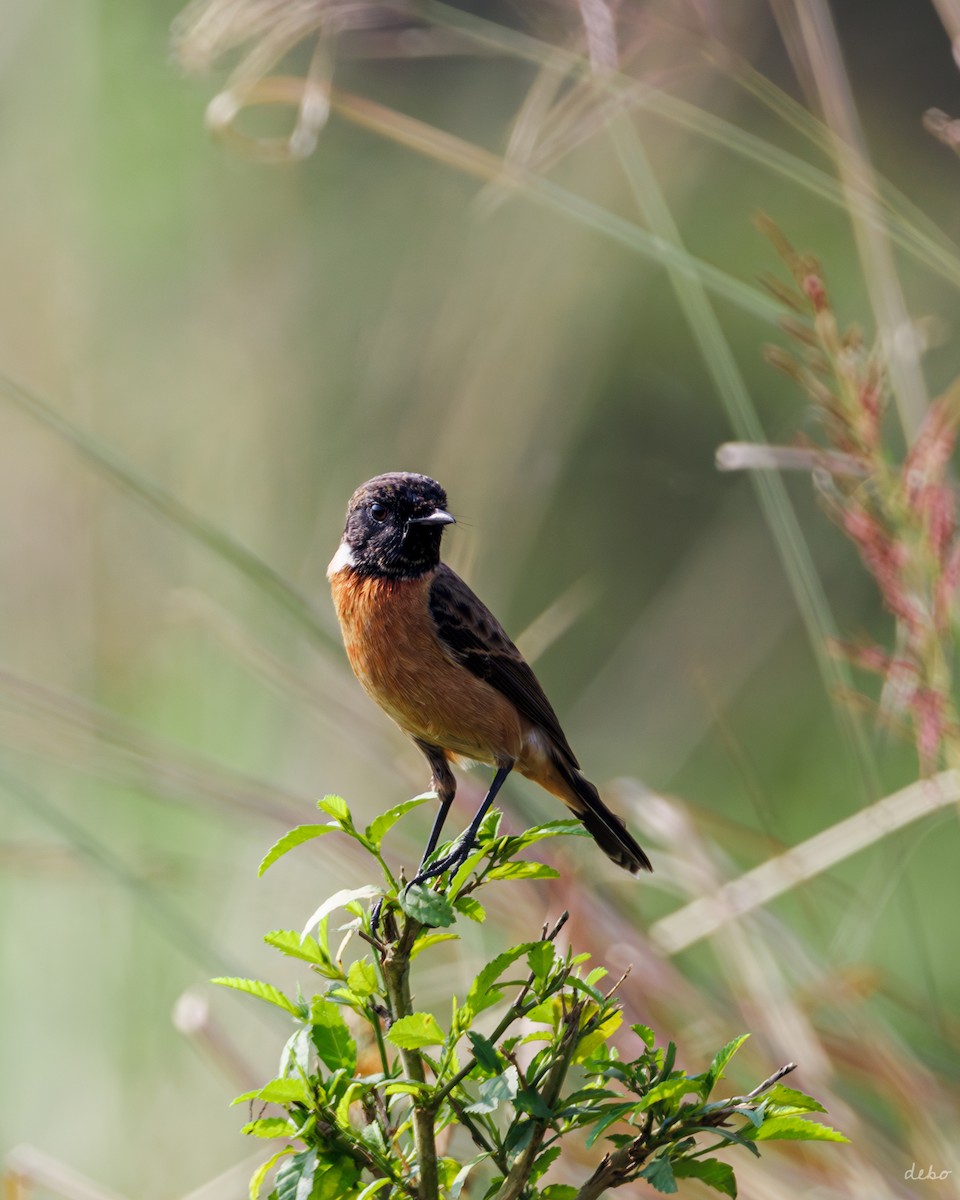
(203, 355)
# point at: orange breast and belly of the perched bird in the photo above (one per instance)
(397, 656)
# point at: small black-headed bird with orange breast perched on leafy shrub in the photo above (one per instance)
(440, 664)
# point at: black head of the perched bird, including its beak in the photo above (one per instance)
(394, 526)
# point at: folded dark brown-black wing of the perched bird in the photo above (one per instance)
(471, 633)
